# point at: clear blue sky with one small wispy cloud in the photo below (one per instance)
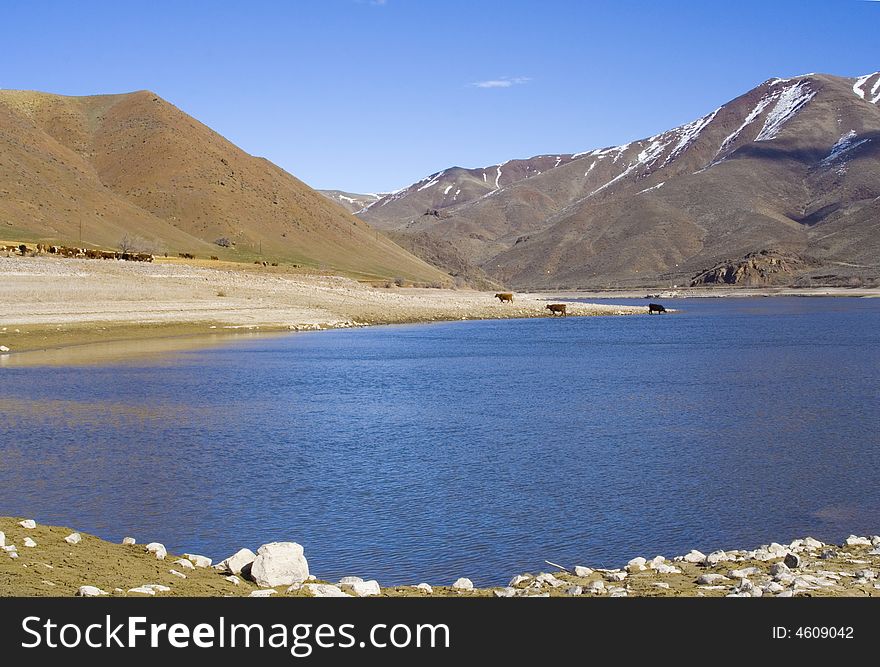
(371, 95)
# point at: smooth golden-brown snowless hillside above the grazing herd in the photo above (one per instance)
(134, 163)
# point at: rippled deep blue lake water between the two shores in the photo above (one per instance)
(479, 449)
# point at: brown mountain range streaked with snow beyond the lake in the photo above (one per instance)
(791, 166)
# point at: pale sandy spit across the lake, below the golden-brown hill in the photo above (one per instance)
(97, 309)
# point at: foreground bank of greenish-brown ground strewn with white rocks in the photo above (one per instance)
(38, 560)
